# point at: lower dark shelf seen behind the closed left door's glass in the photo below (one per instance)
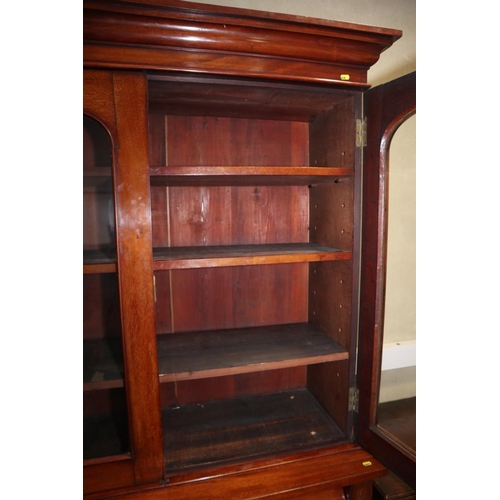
(103, 364)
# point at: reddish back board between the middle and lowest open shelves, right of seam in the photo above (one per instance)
(238, 297)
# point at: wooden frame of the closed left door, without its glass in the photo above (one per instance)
(118, 100)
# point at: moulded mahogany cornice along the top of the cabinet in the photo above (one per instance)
(180, 36)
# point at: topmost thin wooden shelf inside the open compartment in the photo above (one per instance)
(245, 175)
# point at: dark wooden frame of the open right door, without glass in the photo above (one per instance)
(386, 108)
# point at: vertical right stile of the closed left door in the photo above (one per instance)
(135, 267)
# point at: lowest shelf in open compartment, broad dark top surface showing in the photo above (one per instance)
(195, 355)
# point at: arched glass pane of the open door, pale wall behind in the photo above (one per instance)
(397, 397)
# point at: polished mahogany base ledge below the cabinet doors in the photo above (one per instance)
(327, 471)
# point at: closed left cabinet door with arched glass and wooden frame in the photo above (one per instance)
(121, 422)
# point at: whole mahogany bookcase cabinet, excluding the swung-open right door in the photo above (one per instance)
(222, 195)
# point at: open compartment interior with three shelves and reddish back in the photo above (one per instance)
(252, 205)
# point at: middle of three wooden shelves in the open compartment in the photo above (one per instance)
(243, 255)
